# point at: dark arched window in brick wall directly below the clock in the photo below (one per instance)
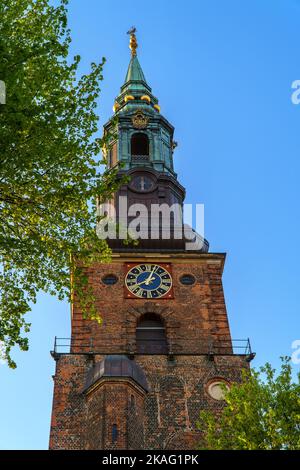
(151, 335)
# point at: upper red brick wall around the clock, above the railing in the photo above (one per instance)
(196, 313)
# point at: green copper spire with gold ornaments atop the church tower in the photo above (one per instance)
(144, 136)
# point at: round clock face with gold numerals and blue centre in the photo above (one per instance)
(148, 281)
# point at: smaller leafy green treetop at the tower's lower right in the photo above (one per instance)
(262, 413)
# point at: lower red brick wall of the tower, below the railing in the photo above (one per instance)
(165, 419)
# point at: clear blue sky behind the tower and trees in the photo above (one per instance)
(222, 71)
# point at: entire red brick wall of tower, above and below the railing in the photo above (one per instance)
(166, 417)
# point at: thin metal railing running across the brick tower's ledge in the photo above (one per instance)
(177, 347)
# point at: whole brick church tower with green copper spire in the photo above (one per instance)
(140, 380)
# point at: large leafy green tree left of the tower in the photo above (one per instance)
(49, 165)
